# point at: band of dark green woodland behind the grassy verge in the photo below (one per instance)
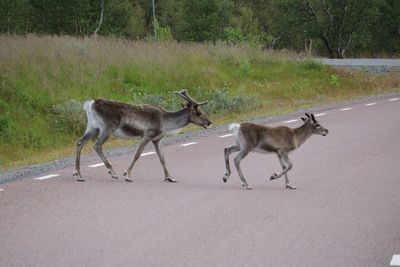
(328, 28)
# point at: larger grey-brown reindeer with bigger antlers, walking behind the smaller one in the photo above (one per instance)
(151, 123)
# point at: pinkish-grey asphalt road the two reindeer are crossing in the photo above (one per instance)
(345, 211)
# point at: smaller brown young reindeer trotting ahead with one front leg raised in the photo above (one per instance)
(280, 140)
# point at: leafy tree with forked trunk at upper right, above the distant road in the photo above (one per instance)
(340, 25)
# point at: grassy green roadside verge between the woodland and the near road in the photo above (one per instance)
(44, 81)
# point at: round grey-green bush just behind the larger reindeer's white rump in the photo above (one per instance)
(68, 117)
